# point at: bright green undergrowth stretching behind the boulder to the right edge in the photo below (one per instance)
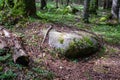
(98, 23)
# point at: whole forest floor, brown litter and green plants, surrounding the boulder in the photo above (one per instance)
(47, 65)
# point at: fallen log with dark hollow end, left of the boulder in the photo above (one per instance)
(8, 39)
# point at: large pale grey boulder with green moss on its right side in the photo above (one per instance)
(73, 44)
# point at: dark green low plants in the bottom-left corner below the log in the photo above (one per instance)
(11, 71)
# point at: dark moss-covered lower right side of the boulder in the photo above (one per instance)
(82, 47)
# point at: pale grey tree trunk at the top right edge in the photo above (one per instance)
(115, 9)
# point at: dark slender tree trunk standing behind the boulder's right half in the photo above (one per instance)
(86, 11)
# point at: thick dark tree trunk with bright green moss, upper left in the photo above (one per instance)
(23, 7)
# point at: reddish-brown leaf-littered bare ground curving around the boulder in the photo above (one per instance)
(104, 67)
